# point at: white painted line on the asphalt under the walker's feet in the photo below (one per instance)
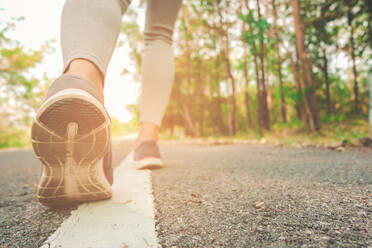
(126, 220)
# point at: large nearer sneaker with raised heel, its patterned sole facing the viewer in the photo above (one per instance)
(71, 137)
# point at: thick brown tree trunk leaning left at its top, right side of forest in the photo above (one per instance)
(306, 66)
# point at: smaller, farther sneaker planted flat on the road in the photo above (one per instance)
(147, 156)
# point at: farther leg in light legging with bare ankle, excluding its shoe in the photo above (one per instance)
(158, 65)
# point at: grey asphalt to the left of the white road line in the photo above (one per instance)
(24, 222)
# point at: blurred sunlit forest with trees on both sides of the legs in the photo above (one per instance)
(287, 71)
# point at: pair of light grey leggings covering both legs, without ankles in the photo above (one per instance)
(90, 29)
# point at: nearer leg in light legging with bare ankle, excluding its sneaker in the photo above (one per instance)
(89, 31)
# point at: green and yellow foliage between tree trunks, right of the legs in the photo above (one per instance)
(202, 79)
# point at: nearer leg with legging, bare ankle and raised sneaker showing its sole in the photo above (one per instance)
(71, 133)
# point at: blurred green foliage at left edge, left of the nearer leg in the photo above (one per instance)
(20, 93)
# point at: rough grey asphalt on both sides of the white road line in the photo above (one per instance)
(221, 196)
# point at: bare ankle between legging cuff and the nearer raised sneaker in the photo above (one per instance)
(87, 70)
